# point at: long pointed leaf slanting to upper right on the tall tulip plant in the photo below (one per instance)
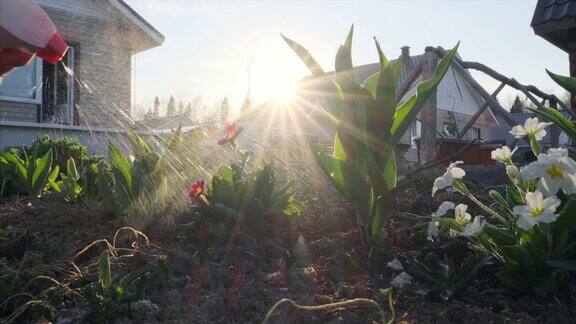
(407, 111)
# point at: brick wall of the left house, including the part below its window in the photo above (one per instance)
(103, 48)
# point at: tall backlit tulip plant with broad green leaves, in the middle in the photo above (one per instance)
(369, 123)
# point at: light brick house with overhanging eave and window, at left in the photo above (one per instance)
(92, 88)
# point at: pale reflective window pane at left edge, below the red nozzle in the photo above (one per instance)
(23, 84)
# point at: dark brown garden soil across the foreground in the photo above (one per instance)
(234, 274)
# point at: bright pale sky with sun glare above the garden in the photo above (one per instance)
(217, 49)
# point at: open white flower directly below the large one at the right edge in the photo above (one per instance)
(537, 209)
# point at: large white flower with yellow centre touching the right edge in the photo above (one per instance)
(555, 170)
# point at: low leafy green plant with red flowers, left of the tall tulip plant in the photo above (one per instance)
(237, 193)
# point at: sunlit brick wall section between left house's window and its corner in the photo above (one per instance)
(103, 66)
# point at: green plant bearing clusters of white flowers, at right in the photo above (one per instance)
(532, 228)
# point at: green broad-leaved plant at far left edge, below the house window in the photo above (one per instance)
(33, 174)
